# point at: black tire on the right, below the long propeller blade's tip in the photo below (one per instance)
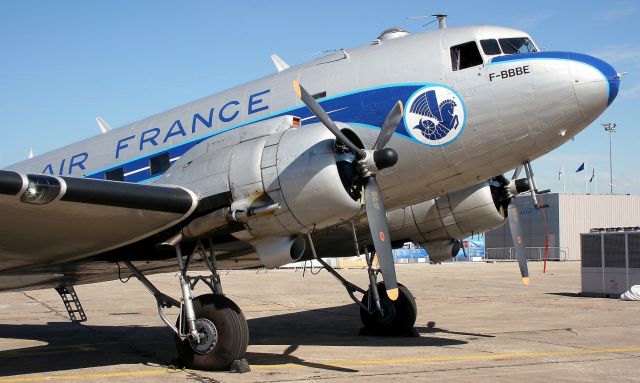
(399, 318)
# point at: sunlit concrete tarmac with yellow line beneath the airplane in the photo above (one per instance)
(477, 322)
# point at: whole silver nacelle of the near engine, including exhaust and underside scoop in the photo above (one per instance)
(274, 177)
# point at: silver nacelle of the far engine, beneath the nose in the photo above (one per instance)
(452, 216)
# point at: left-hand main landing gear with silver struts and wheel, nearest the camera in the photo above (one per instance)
(211, 332)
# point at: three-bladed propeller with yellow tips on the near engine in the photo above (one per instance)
(369, 163)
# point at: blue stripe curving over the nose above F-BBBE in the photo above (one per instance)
(605, 68)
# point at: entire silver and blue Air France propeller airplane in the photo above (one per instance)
(406, 138)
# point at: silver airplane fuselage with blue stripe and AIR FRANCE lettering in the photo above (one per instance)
(516, 108)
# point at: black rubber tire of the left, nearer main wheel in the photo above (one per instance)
(232, 329)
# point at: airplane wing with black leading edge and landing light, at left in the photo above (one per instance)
(48, 220)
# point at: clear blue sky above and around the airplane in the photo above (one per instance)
(63, 63)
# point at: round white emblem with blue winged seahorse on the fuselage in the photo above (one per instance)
(435, 115)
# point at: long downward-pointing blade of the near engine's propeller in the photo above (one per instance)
(380, 233)
